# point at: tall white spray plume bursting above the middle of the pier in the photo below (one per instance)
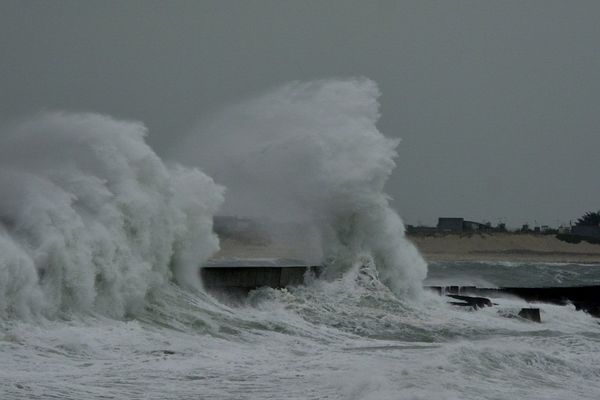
(311, 154)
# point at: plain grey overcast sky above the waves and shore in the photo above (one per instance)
(498, 103)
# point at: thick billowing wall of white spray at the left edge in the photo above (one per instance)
(91, 219)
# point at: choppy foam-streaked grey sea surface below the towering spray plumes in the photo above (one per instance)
(345, 339)
